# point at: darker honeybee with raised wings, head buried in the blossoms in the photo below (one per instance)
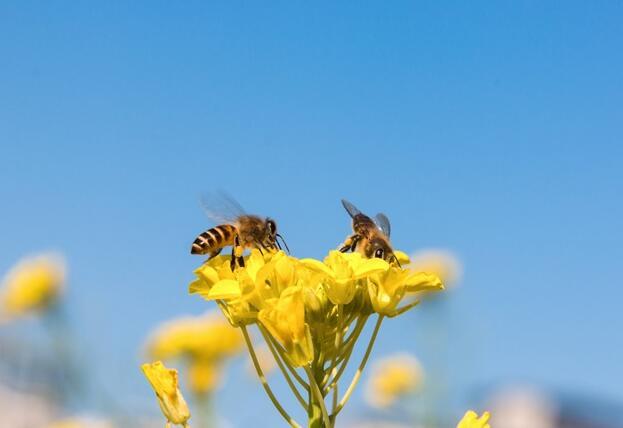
(370, 236)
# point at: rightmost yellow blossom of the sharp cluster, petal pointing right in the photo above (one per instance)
(389, 287)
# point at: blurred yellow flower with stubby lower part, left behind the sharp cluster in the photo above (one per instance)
(204, 342)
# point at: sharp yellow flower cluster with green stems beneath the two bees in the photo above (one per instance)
(311, 313)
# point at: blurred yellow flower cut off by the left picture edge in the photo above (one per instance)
(33, 285)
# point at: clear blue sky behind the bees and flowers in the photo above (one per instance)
(491, 129)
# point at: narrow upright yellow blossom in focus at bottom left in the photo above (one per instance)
(164, 383)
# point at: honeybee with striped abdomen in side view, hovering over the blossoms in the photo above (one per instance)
(239, 230)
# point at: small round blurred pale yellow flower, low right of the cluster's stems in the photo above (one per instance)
(392, 378)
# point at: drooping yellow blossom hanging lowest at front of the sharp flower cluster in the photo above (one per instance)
(284, 318)
